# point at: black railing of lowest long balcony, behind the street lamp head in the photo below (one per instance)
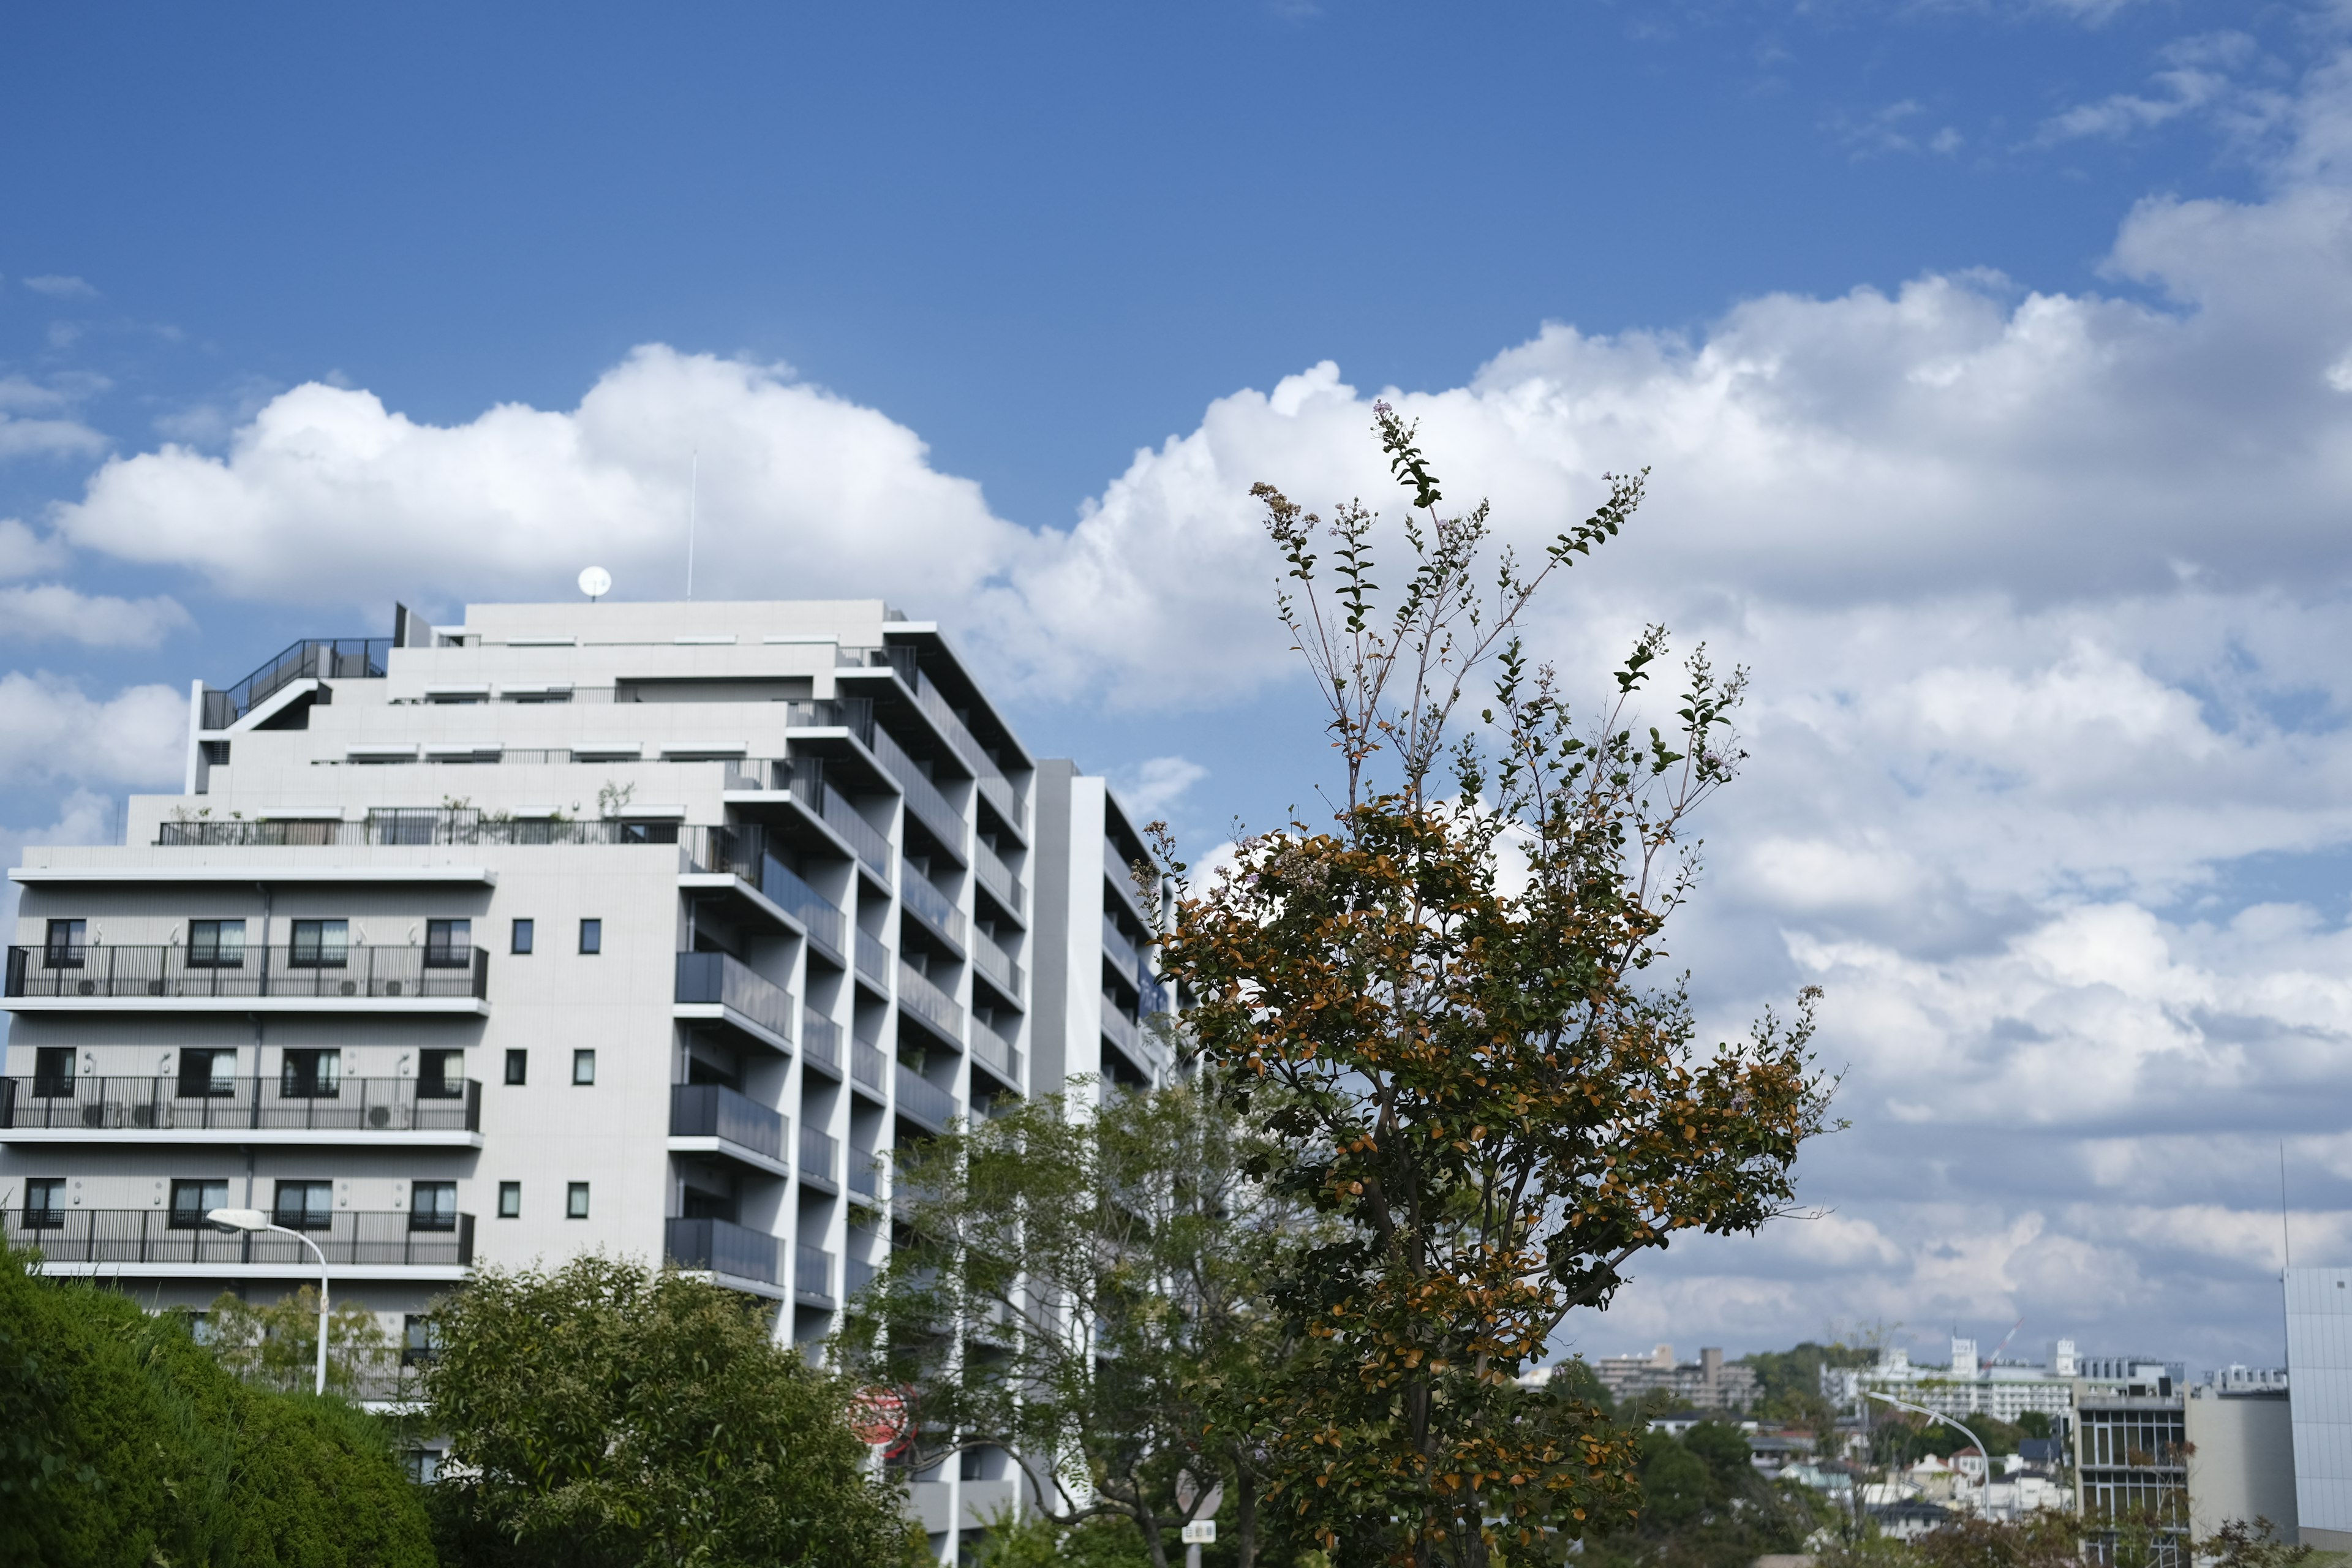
(349, 1238)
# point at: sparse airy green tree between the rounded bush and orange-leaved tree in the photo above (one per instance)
(1081, 1289)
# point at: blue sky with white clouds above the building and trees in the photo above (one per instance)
(1989, 359)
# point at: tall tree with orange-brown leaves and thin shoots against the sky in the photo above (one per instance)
(1443, 1007)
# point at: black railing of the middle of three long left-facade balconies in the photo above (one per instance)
(175, 1106)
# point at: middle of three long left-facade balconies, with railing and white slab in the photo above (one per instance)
(382, 1113)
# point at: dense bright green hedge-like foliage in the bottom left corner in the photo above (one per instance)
(126, 1445)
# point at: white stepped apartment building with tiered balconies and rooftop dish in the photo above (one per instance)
(629, 927)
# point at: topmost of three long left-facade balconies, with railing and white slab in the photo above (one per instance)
(356, 979)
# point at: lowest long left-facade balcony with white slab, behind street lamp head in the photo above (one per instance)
(163, 1245)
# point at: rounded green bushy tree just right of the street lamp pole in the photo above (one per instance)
(608, 1416)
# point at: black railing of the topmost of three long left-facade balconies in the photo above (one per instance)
(253, 972)
